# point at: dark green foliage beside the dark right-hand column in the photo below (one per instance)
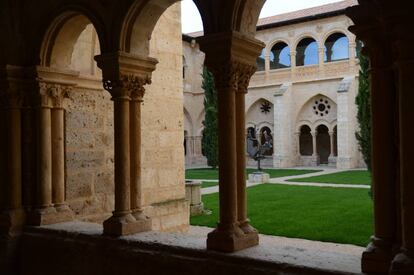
(363, 102)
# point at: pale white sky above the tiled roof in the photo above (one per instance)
(191, 20)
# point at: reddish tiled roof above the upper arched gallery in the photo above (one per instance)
(297, 15)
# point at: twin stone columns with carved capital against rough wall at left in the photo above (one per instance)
(50, 206)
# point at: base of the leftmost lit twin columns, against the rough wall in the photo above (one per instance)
(49, 215)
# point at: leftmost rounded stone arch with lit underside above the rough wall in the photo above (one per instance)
(61, 38)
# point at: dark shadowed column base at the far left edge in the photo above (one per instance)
(11, 222)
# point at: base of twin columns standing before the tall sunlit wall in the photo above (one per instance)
(125, 225)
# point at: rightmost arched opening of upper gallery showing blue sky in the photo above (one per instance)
(336, 47)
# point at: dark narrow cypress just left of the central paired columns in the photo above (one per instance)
(210, 135)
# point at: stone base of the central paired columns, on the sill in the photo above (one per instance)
(231, 240)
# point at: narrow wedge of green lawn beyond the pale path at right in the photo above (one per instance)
(347, 177)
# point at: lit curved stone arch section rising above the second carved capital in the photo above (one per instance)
(139, 24)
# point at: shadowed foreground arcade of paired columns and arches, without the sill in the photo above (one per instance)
(35, 40)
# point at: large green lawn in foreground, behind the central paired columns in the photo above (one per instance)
(337, 215)
